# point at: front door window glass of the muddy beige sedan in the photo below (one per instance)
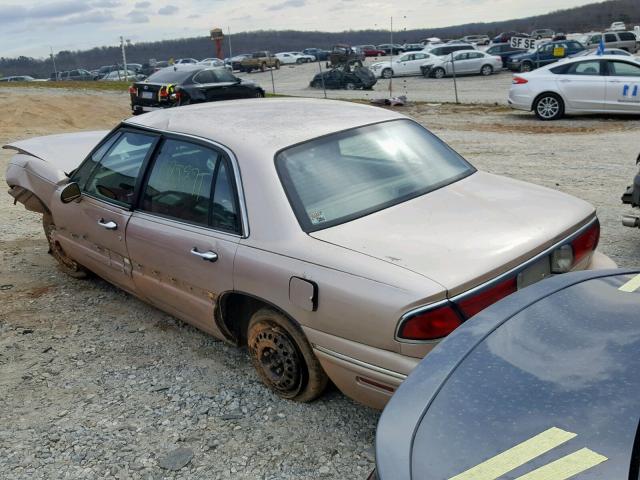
(114, 178)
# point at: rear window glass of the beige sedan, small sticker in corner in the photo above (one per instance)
(350, 174)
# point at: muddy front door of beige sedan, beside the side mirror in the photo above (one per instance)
(92, 230)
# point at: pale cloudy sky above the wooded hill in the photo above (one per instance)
(30, 27)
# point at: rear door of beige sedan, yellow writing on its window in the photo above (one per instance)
(183, 236)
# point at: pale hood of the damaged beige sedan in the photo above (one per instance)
(65, 151)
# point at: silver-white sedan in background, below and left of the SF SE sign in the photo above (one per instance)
(463, 62)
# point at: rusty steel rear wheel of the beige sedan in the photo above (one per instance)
(283, 357)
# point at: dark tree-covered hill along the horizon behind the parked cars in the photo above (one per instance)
(595, 16)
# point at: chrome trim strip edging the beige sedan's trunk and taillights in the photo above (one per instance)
(488, 284)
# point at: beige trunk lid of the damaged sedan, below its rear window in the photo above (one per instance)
(467, 232)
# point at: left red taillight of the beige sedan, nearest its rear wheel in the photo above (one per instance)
(431, 324)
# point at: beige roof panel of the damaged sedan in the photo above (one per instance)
(264, 125)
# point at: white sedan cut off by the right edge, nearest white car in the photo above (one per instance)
(590, 84)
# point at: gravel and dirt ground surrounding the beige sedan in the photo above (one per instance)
(96, 384)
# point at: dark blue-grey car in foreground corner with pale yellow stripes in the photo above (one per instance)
(542, 385)
